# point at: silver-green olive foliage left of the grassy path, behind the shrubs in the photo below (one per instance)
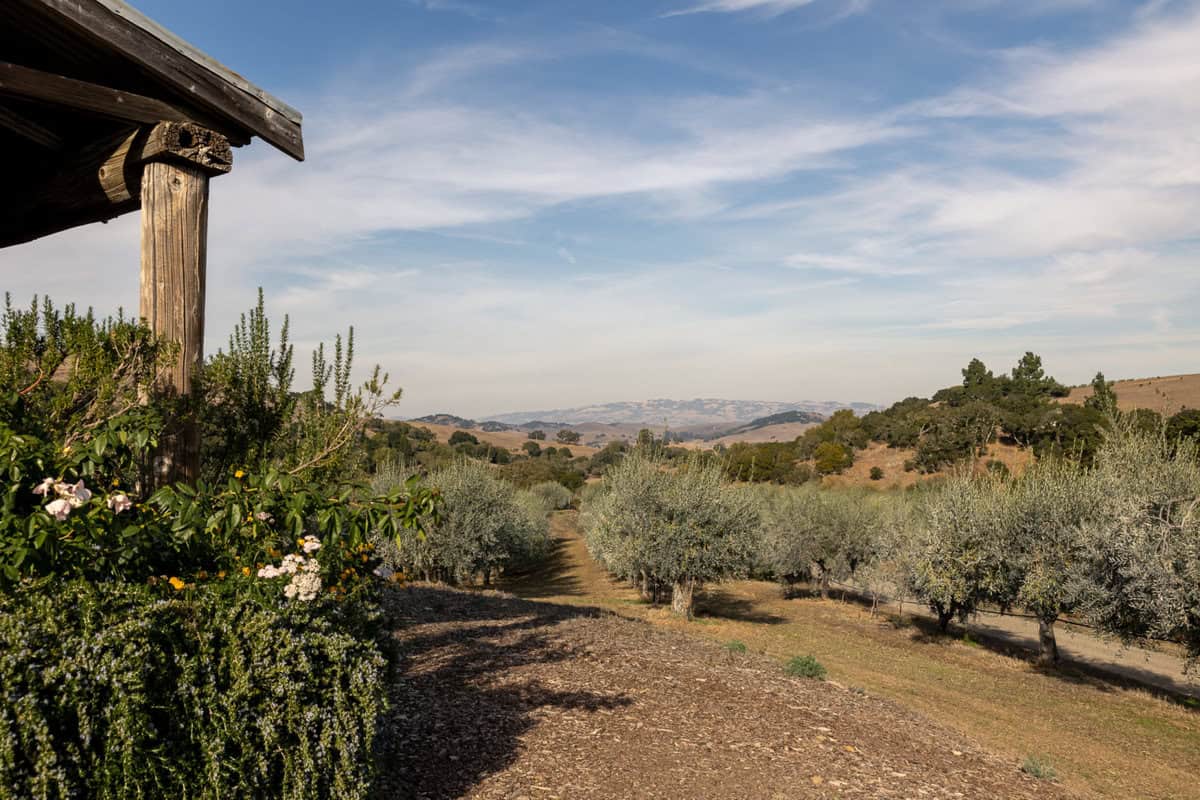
(485, 527)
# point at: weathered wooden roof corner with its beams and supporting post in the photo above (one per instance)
(104, 112)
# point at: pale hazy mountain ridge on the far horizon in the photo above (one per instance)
(680, 414)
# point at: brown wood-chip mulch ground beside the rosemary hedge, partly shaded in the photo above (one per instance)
(500, 697)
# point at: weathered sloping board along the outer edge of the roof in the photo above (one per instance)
(215, 88)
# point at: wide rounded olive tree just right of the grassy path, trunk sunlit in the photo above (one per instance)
(681, 527)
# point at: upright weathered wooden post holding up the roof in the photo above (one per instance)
(175, 255)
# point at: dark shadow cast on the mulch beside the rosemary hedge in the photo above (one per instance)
(465, 688)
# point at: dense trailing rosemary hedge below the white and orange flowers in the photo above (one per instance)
(111, 691)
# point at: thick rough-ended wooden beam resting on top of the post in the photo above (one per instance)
(105, 181)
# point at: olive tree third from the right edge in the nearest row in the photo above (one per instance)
(959, 546)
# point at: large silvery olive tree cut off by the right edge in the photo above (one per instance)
(1143, 548)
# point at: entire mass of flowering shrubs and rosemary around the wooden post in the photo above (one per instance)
(215, 640)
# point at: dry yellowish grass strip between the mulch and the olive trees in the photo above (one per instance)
(1106, 739)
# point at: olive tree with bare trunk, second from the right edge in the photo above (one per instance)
(1048, 508)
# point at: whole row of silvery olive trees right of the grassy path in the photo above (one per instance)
(1117, 544)
